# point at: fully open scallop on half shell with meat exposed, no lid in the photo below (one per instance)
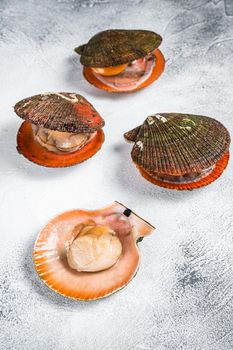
(87, 255)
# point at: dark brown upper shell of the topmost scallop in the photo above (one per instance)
(114, 47)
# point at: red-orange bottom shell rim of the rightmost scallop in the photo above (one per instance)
(217, 171)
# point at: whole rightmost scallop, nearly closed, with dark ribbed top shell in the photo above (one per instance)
(180, 151)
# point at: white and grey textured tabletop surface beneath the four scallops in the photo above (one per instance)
(182, 296)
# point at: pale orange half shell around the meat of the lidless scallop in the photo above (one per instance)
(51, 262)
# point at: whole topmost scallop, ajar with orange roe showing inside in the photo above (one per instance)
(119, 60)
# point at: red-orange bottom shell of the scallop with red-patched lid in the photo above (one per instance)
(32, 150)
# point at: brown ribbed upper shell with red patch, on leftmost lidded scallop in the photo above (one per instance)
(68, 112)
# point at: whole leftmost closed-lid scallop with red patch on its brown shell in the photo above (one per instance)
(60, 129)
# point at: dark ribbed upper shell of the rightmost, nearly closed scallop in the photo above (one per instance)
(176, 144)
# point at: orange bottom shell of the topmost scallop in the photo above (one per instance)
(157, 71)
